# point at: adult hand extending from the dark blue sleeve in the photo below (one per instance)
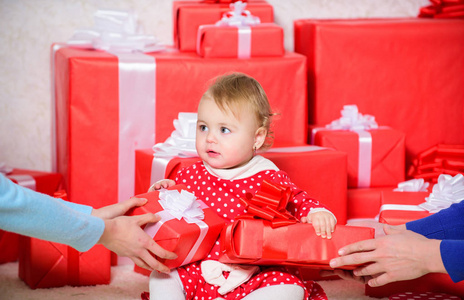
(399, 255)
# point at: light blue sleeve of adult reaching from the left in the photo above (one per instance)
(38, 215)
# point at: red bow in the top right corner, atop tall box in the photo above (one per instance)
(443, 9)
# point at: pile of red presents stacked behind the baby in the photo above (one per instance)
(399, 79)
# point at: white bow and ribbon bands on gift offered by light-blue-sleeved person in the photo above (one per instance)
(177, 206)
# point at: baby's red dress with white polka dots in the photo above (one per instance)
(223, 196)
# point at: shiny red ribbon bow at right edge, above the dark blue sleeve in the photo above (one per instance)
(439, 159)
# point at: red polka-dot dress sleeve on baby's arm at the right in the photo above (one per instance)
(301, 203)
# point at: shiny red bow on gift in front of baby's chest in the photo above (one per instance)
(269, 203)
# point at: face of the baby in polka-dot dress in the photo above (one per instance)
(223, 140)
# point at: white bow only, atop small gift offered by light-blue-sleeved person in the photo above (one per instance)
(181, 205)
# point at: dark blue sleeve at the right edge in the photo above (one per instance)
(448, 226)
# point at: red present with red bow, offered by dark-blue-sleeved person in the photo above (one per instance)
(268, 235)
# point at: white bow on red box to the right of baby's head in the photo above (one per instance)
(351, 119)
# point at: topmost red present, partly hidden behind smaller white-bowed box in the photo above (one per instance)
(189, 15)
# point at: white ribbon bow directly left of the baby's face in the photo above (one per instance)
(182, 139)
